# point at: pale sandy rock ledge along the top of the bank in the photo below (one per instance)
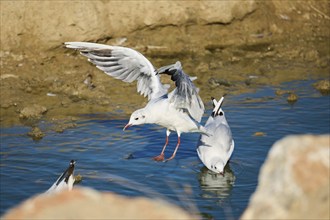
(28, 23)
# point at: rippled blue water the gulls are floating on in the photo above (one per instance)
(112, 160)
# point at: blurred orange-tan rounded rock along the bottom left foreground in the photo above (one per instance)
(86, 203)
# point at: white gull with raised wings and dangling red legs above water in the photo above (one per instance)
(179, 111)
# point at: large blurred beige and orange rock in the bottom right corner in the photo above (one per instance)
(293, 181)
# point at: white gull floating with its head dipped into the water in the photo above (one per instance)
(215, 149)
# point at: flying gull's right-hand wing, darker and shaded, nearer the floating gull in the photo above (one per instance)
(185, 95)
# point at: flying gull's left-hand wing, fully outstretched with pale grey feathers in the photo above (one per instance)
(125, 64)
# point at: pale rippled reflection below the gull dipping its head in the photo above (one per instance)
(216, 185)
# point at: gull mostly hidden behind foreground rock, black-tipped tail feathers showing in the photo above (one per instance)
(65, 181)
